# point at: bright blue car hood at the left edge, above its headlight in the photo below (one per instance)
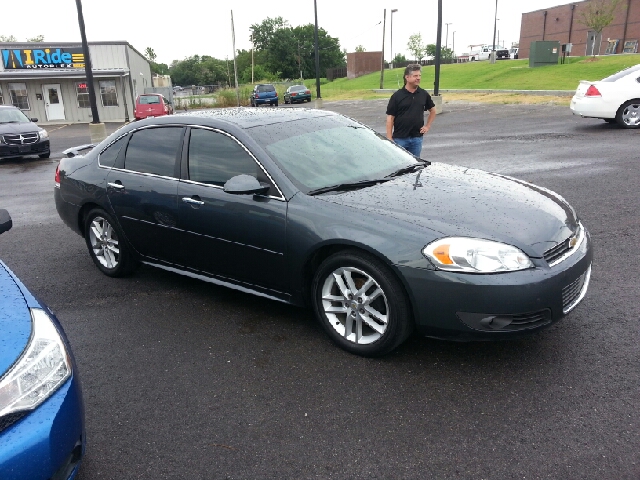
(15, 318)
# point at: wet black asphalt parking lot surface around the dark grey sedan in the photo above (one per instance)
(184, 379)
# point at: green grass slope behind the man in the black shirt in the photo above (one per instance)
(503, 75)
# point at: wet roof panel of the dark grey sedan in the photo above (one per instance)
(244, 117)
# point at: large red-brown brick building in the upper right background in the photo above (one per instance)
(562, 23)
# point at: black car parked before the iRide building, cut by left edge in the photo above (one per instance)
(20, 136)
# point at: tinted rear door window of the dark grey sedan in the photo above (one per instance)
(153, 150)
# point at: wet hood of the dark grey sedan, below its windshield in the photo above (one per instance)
(457, 201)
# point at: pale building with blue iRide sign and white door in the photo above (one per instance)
(48, 81)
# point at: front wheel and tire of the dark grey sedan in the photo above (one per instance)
(360, 304)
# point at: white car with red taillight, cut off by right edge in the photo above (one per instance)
(614, 99)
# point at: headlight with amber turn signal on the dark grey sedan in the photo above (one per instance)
(475, 255)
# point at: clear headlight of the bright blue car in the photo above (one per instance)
(42, 368)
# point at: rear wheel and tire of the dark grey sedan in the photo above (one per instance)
(106, 244)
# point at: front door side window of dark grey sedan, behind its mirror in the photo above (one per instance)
(214, 158)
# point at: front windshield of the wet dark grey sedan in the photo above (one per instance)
(326, 151)
